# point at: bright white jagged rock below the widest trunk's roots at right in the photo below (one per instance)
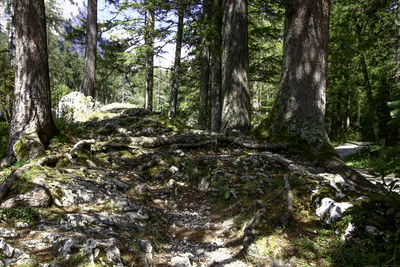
(331, 210)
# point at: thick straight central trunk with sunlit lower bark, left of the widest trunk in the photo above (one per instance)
(235, 67)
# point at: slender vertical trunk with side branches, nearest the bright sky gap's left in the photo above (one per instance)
(149, 43)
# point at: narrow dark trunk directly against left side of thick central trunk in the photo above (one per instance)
(216, 79)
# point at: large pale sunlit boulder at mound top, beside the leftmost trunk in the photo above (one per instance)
(76, 107)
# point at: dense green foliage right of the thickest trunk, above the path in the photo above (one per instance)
(360, 27)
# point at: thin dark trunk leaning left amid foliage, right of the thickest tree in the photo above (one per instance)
(370, 98)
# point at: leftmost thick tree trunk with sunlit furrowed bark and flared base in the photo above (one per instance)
(31, 113)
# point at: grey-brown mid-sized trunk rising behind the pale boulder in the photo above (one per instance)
(89, 70)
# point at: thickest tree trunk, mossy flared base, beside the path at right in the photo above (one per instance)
(300, 106)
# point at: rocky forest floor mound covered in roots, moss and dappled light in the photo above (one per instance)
(131, 188)
